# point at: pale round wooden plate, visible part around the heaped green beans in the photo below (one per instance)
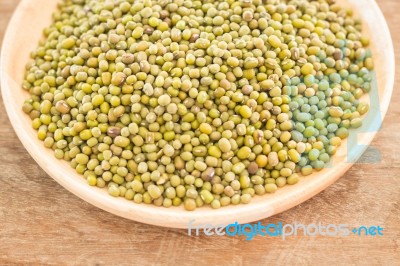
(23, 34)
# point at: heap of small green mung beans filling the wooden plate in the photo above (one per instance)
(188, 102)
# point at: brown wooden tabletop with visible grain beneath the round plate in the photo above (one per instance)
(41, 222)
